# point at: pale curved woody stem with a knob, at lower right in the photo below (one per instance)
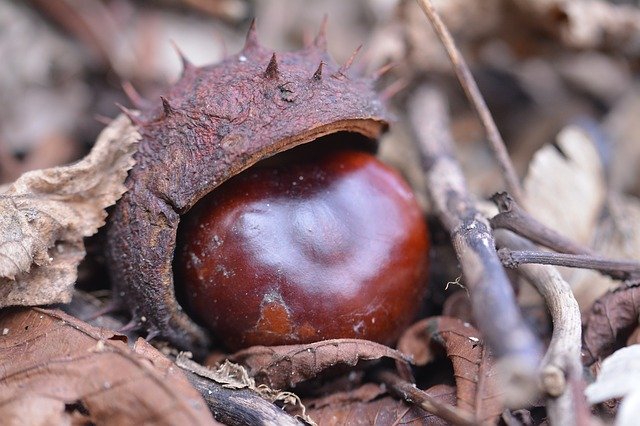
(561, 365)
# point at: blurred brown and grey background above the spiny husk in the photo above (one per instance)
(540, 64)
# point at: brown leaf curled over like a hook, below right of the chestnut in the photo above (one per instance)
(473, 367)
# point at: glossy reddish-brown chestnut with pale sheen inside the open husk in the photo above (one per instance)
(333, 245)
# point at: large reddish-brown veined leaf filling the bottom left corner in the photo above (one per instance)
(57, 369)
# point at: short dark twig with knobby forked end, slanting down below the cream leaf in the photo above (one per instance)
(516, 219)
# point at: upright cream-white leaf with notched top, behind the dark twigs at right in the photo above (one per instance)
(566, 190)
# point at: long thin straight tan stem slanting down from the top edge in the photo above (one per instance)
(475, 97)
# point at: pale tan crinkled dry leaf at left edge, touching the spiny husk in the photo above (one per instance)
(45, 214)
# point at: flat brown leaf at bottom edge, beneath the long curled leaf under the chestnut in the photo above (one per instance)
(359, 407)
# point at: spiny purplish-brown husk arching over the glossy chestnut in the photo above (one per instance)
(216, 121)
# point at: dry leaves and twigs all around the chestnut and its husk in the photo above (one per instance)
(534, 300)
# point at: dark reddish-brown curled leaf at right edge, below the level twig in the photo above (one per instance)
(610, 323)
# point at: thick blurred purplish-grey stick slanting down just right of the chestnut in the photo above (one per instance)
(492, 298)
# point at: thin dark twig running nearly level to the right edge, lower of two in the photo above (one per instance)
(616, 269)
